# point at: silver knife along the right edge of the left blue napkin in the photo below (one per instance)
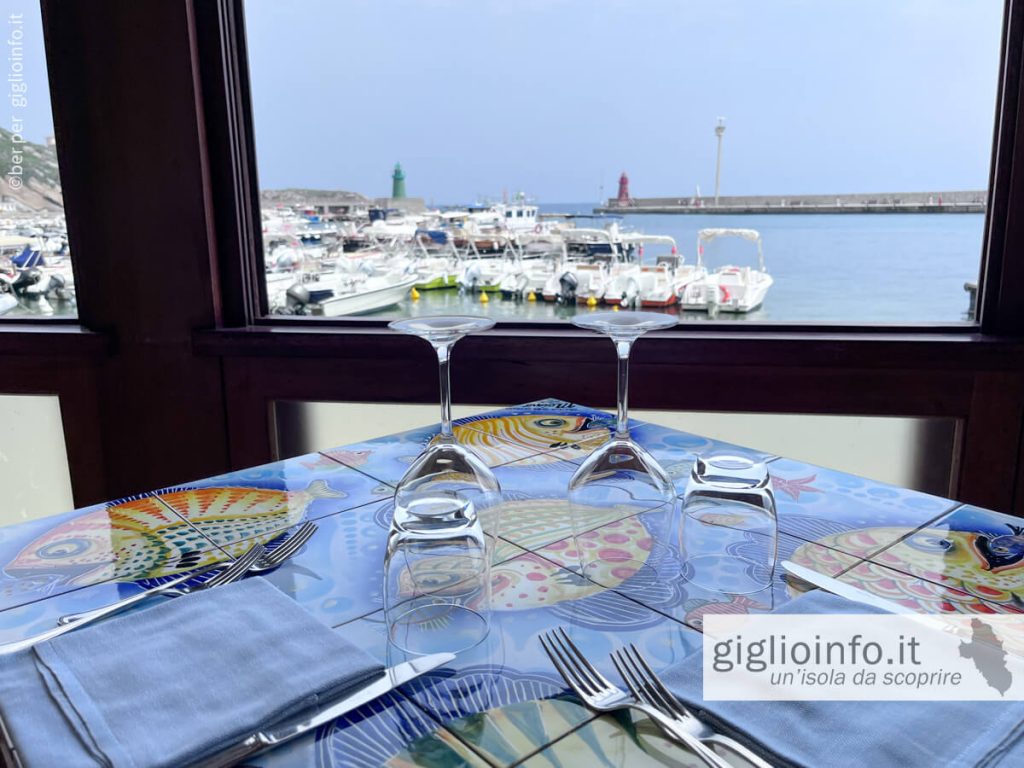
(263, 741)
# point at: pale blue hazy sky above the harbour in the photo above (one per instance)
(558, 98)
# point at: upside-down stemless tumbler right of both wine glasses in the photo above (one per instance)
(731, 532)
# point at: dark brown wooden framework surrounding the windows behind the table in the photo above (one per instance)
(178, 373)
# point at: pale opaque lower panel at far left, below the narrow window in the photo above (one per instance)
(35, 481)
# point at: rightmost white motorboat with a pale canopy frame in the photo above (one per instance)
(731, 288)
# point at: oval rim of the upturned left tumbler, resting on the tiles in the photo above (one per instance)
(438, 629)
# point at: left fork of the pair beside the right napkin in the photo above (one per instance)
(600, 695)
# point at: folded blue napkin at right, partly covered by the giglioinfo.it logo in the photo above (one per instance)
(905, 735)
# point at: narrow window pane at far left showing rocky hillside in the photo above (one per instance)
(36, 277)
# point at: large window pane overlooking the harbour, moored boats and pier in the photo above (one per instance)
(845, 184)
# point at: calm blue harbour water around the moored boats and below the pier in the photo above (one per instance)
(857, 269)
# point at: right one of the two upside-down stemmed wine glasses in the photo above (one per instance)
(621, 479)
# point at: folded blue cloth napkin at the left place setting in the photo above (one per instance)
(175, 684)
